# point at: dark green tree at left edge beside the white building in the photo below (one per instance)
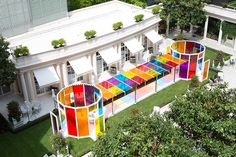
(7, 67)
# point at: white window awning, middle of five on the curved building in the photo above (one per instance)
(110, 55)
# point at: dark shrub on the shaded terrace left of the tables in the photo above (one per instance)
(14, 111)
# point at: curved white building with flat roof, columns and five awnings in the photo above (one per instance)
(82, 60)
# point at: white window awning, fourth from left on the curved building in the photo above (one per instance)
(134, 46)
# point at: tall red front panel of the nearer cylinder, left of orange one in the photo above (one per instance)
(71, 123)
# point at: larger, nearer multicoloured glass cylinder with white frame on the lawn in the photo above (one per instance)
(81, 111)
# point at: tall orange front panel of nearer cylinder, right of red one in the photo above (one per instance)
(82, 121)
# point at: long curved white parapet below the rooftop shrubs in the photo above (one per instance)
(85, 46)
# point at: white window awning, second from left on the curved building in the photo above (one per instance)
(81, 66)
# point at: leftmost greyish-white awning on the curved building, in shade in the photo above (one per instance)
(46, 76)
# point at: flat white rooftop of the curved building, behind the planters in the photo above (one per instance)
(99, 17)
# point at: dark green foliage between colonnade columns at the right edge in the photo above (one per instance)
(229, 30)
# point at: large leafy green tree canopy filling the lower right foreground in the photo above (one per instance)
(200, 123)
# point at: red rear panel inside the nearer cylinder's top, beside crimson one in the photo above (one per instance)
(79, 95)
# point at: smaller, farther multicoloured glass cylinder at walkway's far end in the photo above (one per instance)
(192, 52)
